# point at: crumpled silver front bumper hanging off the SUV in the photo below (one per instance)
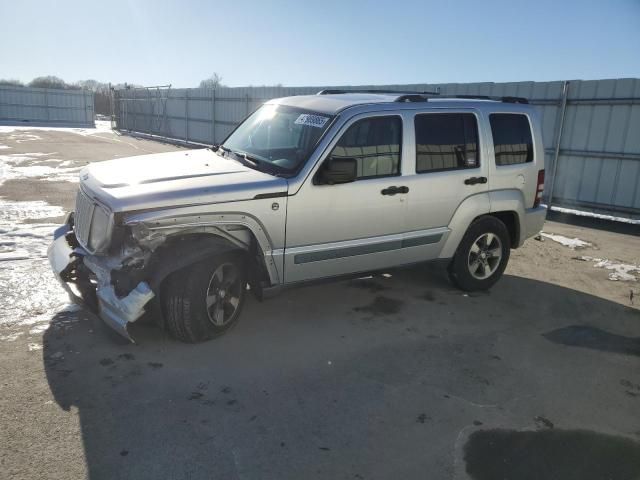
(87, 280)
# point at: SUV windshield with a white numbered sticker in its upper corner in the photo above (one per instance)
(282, 136)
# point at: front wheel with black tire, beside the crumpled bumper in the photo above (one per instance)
(186, 293)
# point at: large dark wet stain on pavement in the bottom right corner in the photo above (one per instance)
(551, 455)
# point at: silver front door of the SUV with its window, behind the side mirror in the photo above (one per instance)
(350, 227)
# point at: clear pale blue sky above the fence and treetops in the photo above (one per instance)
(319, 42)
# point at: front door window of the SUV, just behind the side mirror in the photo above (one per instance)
(375, 144)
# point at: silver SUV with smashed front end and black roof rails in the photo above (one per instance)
(306, 188)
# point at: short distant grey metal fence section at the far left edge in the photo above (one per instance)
(45, 106)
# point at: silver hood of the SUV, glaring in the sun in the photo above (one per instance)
(175, 179)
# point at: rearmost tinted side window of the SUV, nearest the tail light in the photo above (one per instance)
(511, 138)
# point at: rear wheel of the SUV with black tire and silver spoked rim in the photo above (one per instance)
(465, 259)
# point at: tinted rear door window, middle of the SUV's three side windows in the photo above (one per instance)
(446, 141)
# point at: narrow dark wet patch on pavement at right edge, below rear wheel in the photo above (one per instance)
(590, 337)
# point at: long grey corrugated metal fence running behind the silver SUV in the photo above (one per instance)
(593, 127)
